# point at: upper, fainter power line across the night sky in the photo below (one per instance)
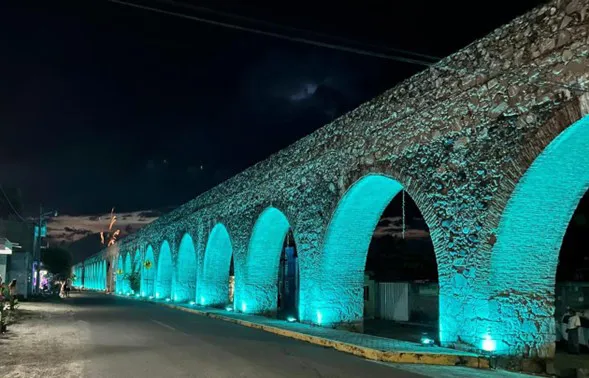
(295, 29)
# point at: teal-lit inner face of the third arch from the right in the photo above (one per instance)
(259, 291)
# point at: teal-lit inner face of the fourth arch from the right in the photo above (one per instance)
(213, 286)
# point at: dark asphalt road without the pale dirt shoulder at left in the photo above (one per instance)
(126, 338)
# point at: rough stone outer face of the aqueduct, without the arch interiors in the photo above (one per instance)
(457, 136)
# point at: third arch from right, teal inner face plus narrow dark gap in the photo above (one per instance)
(271, 269)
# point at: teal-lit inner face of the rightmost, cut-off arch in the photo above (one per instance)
(528, 239)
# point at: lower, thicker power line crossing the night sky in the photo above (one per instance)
(278, 35)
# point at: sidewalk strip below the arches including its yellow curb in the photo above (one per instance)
(363, 345)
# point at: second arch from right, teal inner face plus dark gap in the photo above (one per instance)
(366, 257)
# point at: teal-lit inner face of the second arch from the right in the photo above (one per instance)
(337, 286)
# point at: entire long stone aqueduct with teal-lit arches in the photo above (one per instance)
(492, 144)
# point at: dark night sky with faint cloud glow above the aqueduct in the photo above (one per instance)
(104, 105)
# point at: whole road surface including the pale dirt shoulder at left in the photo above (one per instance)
(94, 335)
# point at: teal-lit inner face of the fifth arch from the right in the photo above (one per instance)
(186, 266)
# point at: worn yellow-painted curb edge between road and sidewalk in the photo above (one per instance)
(357, 350)
